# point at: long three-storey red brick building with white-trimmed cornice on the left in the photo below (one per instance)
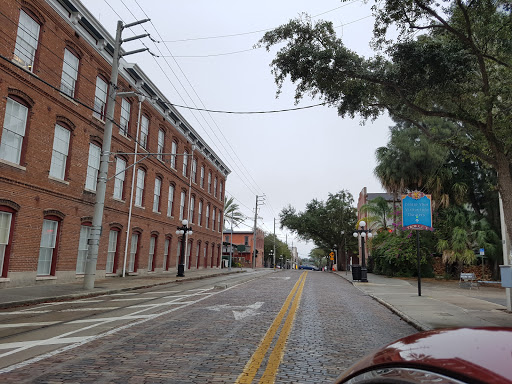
(55, 65)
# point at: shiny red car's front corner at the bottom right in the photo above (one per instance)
(449, 356)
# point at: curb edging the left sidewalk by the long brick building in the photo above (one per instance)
(84, 295)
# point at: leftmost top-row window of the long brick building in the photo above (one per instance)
(26, 41)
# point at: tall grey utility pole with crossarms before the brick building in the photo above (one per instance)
(101, 186)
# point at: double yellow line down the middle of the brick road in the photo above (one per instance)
(254, 363)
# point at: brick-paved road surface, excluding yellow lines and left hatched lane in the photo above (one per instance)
(212, 336)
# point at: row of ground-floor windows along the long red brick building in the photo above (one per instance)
(48, 246)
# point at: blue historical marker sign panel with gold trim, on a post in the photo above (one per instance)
(417, 211)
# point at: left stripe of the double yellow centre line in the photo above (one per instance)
(254, 363)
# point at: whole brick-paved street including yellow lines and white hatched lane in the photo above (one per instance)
(284, 327)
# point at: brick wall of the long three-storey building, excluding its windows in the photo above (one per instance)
(28, 194)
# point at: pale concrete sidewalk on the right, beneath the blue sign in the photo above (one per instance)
(442, 304)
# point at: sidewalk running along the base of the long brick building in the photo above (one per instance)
(19, 296)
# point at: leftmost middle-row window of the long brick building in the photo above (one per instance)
(13, 134)
